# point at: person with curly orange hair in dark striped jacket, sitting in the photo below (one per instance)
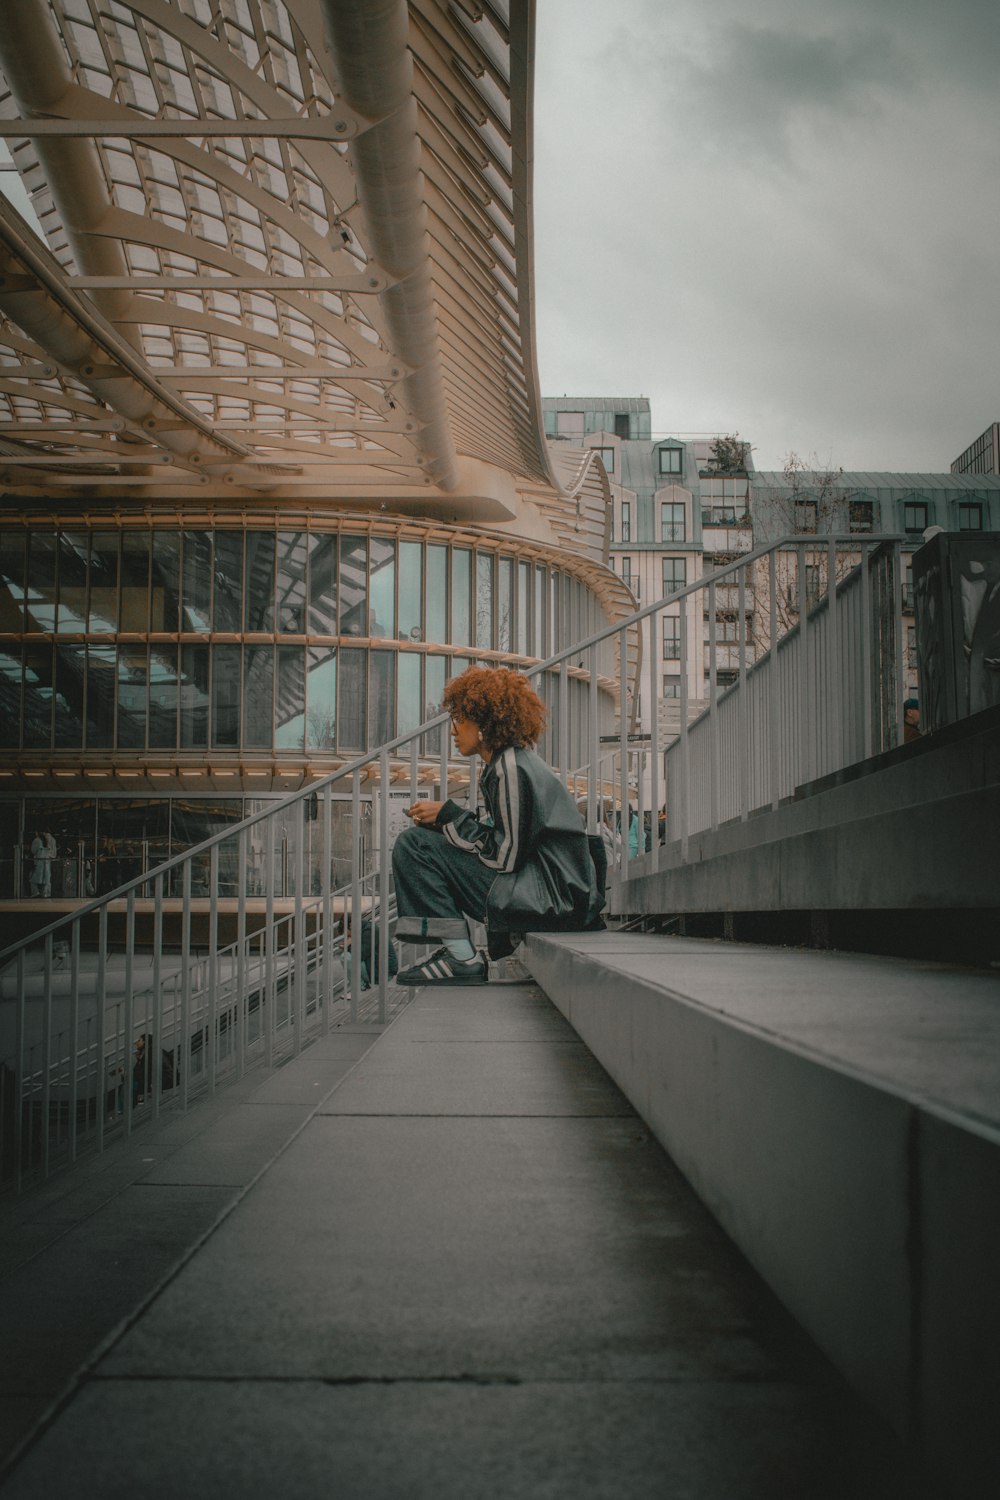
(525, 868)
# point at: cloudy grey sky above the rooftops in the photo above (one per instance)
(776, 218)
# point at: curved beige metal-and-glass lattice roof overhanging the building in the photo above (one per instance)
(259, 271)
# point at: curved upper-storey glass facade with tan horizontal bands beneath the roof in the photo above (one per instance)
(253, 641)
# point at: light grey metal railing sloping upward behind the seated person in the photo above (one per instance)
(167, 989)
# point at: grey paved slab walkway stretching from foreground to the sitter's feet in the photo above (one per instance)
(457, 1268)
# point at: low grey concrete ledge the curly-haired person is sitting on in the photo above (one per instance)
(840, 1117)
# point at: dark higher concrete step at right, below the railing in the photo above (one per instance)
(899, 835)
